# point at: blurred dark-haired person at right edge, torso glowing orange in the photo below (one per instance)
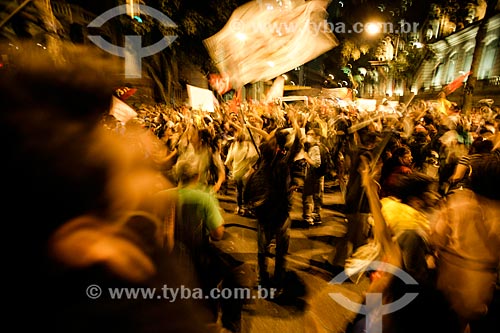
(467, 237)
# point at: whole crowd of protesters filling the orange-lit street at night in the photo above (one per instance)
(134, 203)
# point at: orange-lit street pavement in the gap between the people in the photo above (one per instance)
(307, 306)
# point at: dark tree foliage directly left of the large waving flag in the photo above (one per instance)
(195, 21)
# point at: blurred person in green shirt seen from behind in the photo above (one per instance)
(198, 226)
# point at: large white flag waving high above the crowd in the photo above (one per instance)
(260, 42)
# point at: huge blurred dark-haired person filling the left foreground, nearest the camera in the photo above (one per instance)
(75, 193)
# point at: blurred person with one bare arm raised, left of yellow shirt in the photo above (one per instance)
(425, 308)
